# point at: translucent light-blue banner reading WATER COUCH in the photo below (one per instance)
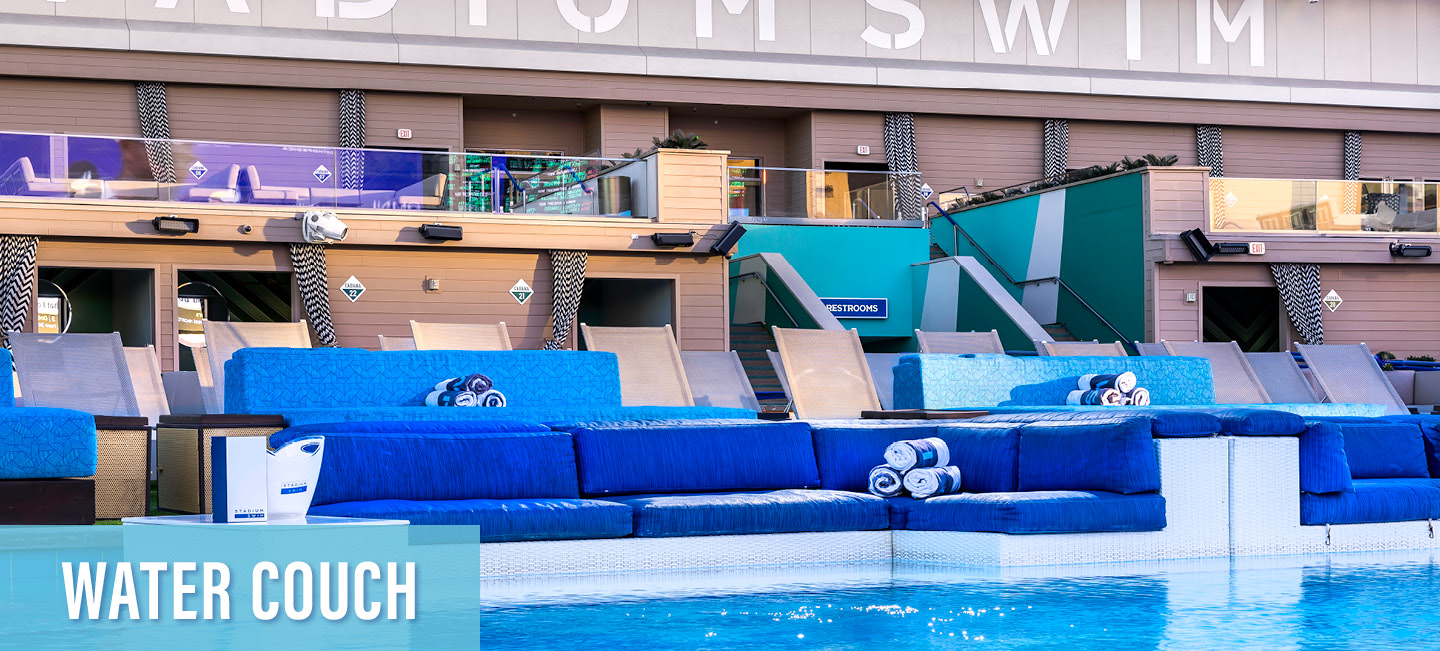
(240, 587)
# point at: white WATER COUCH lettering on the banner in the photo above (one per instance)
(339, 591)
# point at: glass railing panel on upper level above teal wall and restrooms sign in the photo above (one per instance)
(775, 192)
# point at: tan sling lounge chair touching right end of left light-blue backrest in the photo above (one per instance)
(652, 369)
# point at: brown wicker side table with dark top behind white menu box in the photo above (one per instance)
(184, 454)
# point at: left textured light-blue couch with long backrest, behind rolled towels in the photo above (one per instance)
(333, 385)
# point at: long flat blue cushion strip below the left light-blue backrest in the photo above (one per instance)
(558, 418)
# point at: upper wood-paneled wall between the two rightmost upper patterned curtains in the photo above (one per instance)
(1284, 153)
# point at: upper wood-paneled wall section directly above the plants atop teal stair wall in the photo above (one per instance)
(1097, 143)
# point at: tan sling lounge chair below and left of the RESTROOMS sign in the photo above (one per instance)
(827, 374)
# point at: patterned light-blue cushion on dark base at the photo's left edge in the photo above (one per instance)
(47, 444)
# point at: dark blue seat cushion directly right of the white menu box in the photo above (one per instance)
(500, 521)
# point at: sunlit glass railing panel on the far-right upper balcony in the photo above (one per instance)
(1321, 207)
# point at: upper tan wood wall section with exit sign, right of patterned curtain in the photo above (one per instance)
(436, 120)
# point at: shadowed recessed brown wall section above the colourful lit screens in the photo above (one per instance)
(499, 129)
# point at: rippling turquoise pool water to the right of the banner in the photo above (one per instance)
(1341, 601)
